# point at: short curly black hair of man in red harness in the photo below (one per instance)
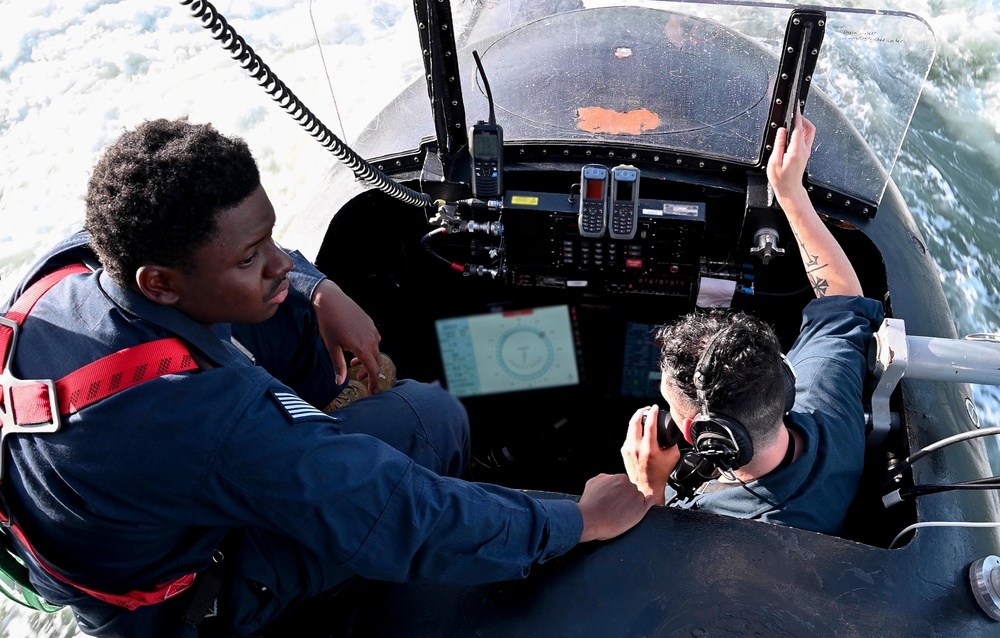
(155, 193)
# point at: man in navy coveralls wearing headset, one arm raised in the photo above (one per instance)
(806, 456)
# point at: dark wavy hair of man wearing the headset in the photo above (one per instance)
(743, 377)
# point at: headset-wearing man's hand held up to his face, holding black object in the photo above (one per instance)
(647, 464)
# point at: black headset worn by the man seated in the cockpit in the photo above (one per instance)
(718, 441)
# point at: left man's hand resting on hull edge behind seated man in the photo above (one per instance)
(611, 505)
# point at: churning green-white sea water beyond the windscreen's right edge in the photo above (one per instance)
(949, 171)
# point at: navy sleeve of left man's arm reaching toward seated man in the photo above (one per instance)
(358, 503)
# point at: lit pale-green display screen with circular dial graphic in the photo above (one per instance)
(508, 351)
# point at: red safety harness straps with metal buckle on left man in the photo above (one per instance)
(37, 406)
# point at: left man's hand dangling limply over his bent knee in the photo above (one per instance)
(345, 326)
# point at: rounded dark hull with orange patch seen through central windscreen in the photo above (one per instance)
(643, 76)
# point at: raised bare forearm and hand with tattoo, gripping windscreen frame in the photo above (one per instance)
(827, 267)
